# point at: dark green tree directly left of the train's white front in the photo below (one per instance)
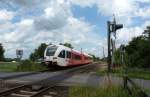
(38, 53)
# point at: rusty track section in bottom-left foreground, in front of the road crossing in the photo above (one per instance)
(26, 91)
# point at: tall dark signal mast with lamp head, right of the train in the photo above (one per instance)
(112, 27)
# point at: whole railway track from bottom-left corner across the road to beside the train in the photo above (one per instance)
(46, 84)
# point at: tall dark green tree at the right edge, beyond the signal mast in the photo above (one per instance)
(138, 50)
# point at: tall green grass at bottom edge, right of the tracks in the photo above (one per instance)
(105, 91)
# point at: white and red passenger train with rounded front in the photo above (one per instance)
(62, 56)
